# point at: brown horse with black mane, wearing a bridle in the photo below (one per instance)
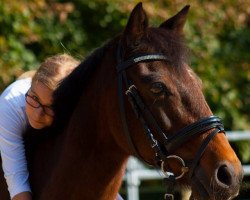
(169, 124)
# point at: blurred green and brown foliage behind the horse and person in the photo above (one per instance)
(217, 32)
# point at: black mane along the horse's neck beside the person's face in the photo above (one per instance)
(70, 89)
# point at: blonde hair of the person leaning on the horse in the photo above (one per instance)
(54, 69)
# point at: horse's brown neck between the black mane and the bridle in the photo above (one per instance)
(91, 158)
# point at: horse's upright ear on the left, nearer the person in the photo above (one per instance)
(136, 26)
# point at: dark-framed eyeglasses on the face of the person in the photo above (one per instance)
(33, 102)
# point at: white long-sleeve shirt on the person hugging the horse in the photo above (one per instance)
(13, 123)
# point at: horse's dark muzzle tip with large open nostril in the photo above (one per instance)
(224, 184)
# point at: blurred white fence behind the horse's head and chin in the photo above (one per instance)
(136, 172)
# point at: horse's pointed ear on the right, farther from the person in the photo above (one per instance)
(177, 22)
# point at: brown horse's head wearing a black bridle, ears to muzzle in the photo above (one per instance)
(172, 125)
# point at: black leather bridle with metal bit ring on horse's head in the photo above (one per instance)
(171, 143)
